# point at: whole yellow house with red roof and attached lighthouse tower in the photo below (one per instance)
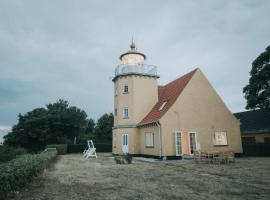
(171, 120)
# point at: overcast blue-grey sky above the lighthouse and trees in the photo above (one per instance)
(69, 49)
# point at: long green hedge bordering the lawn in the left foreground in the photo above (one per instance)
(20, 171)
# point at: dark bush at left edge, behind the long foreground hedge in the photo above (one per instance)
(8, 153)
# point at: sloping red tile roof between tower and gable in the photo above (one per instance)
(167, 93)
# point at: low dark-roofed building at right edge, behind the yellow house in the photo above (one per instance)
(254, 126)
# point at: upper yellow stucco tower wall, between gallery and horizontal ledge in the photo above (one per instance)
(142, 95)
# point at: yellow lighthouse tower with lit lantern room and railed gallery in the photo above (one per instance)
(136, 91)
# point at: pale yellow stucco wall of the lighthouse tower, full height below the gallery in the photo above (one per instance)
(142, 95)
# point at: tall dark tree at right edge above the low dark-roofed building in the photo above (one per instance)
(257, 92)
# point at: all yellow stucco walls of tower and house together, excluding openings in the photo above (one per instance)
(198, 109)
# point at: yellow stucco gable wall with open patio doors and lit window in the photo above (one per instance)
(199, 109)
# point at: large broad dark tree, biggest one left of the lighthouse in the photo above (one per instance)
(57, 123)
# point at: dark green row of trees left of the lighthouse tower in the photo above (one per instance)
(58, 123)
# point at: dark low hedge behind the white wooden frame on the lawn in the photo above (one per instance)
(79, 148)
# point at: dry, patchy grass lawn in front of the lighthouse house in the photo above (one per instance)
(73, 177)
